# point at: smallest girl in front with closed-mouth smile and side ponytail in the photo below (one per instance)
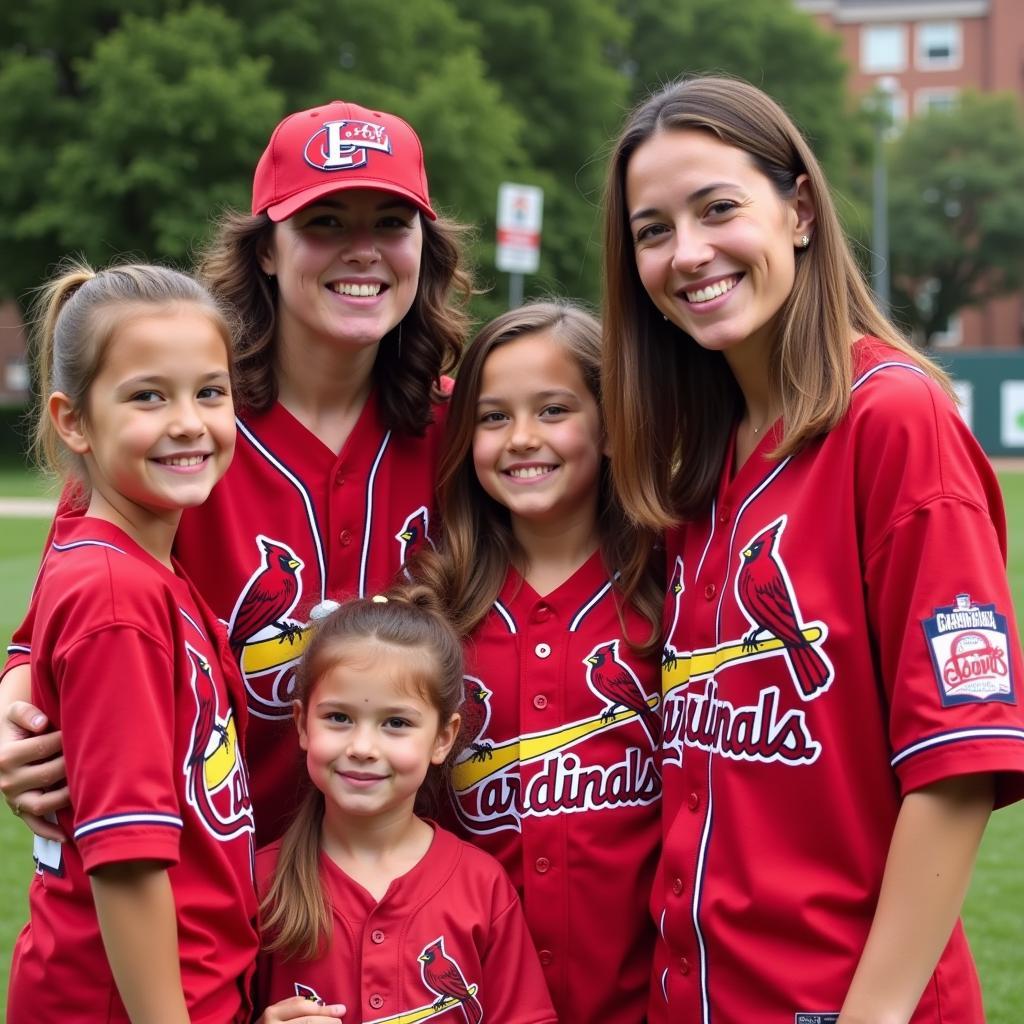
(366, 905)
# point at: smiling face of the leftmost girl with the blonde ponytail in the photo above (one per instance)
(158, 431)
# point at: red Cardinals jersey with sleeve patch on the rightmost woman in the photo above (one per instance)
(840, 634)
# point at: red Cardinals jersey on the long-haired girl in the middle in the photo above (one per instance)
(558, 779)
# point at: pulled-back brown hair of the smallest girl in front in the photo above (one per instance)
(295, 917)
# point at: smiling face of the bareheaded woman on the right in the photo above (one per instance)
(715, 242)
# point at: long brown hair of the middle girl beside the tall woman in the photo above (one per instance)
(478, 543)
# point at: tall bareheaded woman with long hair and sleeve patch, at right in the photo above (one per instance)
(842, 661)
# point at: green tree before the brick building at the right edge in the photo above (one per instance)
(957, 210)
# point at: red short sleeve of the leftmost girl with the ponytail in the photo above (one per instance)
(117, 709)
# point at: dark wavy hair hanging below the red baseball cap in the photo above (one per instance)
(408, 377)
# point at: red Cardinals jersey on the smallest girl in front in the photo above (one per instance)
(449, 938)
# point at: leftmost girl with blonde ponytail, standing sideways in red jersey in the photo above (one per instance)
(148, 912)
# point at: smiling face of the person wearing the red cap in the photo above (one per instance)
(348, 269)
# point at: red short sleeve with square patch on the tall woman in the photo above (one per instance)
(938, 601)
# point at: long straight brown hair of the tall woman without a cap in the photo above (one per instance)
(670, 405)
